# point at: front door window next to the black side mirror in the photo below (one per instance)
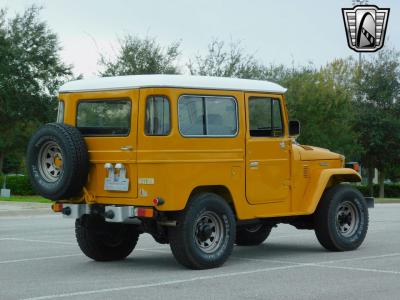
(265, 117)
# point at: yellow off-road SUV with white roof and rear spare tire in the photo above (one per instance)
(200, 163)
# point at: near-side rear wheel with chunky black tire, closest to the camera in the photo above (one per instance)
(184, 238)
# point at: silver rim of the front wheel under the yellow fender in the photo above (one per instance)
(347, 219)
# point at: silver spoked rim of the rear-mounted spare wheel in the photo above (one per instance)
(50, 161)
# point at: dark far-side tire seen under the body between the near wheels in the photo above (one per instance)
(252, 235)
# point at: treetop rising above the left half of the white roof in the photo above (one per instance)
(141, 56)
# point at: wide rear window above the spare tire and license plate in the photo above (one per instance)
(104, 117)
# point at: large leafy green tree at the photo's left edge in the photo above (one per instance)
(30, 73)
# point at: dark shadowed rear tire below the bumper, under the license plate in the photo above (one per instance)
(103, 241)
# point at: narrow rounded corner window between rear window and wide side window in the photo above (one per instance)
(158, 119)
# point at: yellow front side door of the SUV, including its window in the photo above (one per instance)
(267, 150)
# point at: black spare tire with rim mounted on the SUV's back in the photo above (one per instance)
(57, 161)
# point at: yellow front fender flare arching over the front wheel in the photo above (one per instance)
(327, 178)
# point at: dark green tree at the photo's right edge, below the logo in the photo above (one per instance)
(378, 119)
